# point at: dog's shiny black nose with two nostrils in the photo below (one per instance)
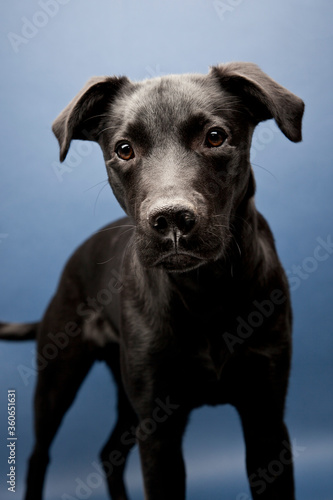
(167, 220)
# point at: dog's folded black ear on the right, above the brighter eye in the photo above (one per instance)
(263, 97)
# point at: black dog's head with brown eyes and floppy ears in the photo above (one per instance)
(177, 152)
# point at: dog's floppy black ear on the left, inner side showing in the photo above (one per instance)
(83, 117)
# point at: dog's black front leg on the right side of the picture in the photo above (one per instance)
(269, 458)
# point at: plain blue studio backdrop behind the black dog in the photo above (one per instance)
(45, 215)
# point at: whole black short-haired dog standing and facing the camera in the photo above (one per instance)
(185, 299)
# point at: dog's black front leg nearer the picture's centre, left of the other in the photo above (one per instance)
(152, 389)
